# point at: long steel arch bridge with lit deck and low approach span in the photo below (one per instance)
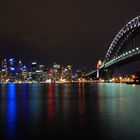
(125, 46)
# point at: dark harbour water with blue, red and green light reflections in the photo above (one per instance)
(69, 111)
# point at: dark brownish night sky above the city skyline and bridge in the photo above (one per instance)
(76, 32)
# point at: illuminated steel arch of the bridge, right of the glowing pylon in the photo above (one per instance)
(117, 49)
